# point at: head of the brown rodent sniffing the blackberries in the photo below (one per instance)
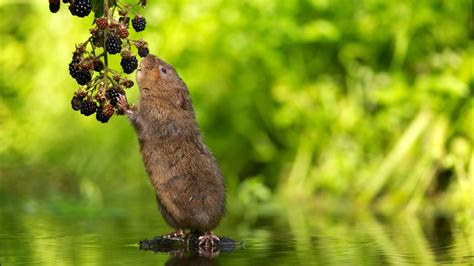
(158, 79)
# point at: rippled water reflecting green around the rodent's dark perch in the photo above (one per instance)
(29, 235)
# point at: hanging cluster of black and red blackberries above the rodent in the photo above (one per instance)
(99, 85)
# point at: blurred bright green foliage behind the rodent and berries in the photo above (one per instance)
(368, 101)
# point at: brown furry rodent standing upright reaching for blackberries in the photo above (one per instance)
(189, 186)
